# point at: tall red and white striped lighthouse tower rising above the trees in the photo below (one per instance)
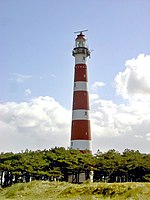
(80, 130)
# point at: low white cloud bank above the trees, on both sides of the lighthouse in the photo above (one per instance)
(44, 123)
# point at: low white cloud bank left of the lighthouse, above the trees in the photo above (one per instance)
(38, 124)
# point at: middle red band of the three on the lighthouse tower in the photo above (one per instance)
(81, 100)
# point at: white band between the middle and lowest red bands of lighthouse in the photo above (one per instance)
(80, 115)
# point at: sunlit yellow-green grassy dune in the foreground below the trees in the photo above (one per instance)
(43, 190)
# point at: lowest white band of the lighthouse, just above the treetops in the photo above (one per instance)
(81, 144)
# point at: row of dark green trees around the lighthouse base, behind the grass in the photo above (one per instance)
(58, 162)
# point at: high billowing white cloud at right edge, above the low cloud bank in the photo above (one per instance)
(134, 82)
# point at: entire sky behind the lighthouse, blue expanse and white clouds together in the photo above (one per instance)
(37, 71)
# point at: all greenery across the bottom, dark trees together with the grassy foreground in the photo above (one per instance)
(34, 175)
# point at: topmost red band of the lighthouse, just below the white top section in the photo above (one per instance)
(80, 73)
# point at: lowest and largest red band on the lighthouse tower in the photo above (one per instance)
(81, 130)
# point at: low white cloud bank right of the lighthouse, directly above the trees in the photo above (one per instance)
(120, 126)
